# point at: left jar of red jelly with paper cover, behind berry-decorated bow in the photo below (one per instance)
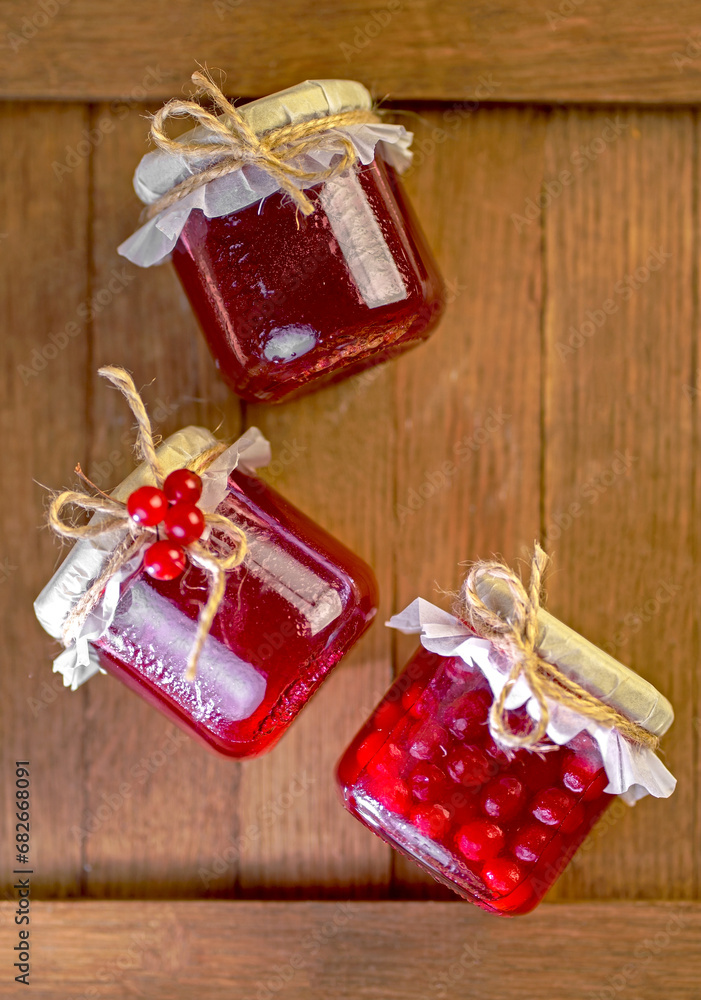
(294, 606)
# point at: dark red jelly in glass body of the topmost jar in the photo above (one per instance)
(289, 302)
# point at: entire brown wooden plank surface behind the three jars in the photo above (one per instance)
(566, 370)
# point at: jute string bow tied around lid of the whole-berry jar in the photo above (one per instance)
(516, 639)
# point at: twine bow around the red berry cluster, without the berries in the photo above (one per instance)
(115, 516)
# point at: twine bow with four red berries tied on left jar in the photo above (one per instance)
(170, 506)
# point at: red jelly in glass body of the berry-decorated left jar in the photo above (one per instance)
(295, 606)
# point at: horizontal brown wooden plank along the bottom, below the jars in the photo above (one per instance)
(393, 951)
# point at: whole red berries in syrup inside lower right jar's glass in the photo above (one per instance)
(426, 776)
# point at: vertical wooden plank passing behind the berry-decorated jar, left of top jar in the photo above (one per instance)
(136, 842)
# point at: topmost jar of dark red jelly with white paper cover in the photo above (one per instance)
(288, 301)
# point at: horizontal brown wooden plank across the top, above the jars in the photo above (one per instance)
(409, 49)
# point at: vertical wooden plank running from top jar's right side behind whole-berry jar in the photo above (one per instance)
(468, 402)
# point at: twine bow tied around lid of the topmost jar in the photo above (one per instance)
(235, 144)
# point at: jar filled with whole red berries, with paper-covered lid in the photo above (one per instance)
(497, 825)
